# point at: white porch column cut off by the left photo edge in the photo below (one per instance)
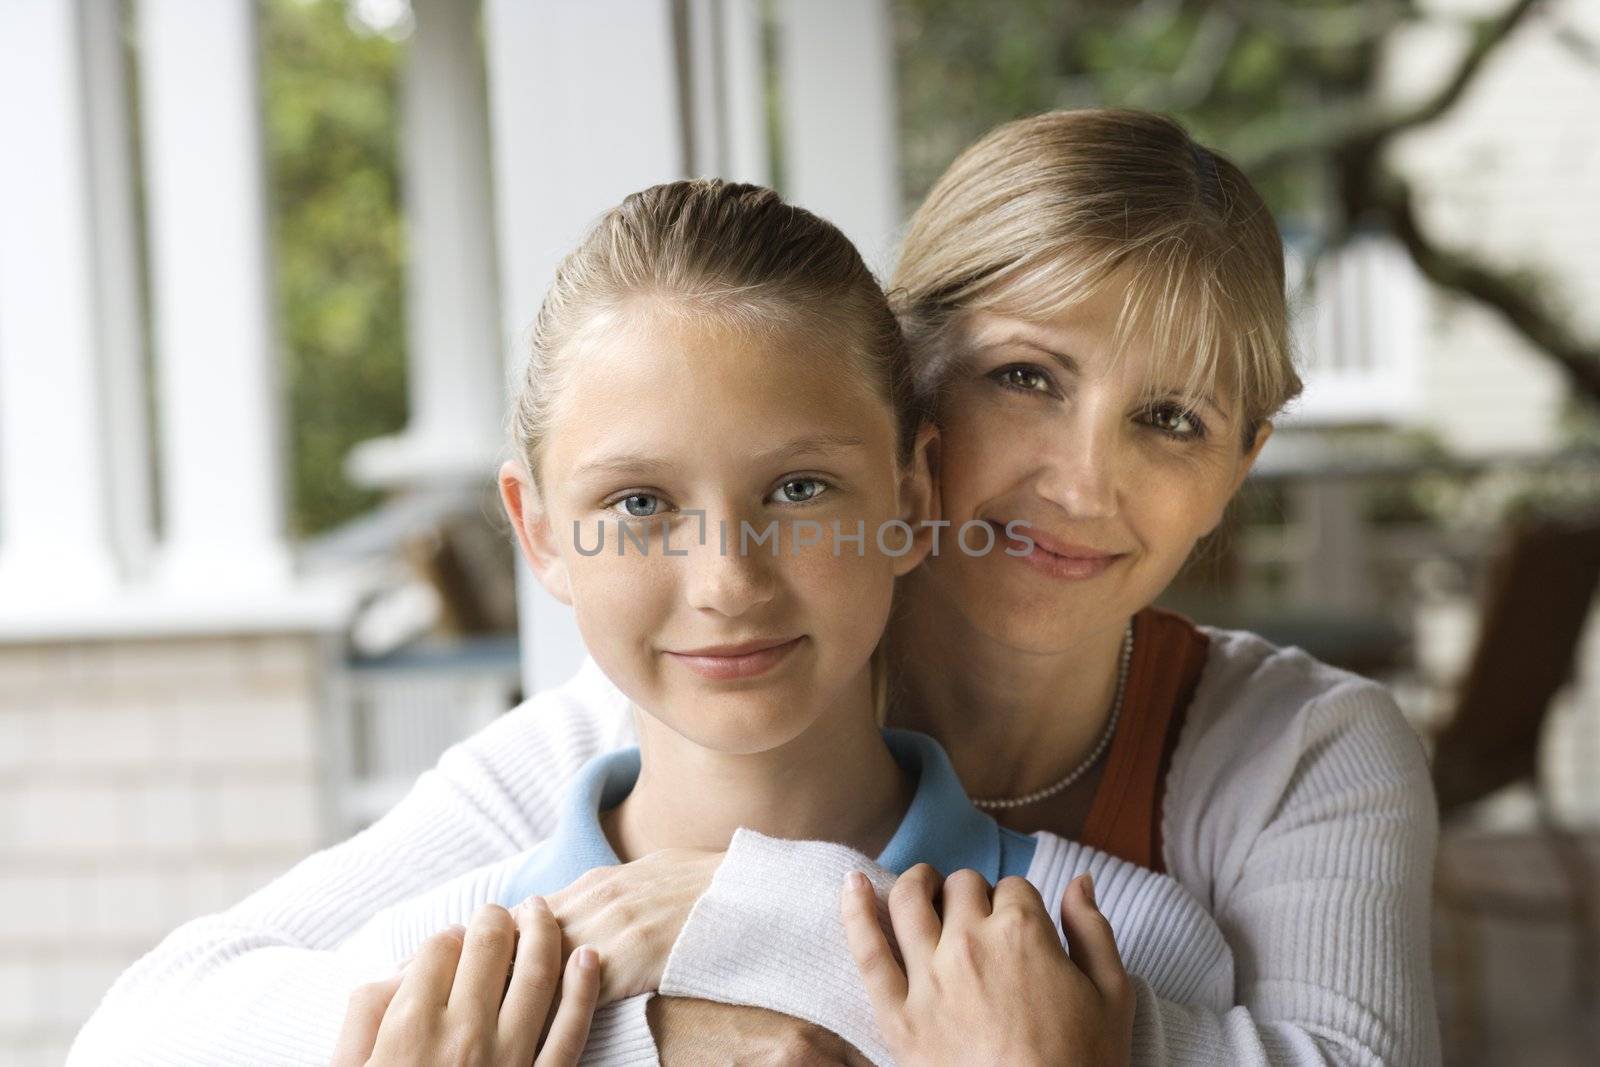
(57, 479)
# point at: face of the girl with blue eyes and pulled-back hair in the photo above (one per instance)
(687, 439)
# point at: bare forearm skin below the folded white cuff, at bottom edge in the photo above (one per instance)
(705, 1033)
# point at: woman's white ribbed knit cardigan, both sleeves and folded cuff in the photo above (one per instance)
(1298, 815)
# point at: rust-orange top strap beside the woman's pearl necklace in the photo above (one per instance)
(1126, 820)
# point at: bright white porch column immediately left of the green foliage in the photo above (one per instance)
(212, 298)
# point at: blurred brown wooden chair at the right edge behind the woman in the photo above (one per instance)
(1534, 618)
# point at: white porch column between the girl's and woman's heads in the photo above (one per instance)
(841, 145)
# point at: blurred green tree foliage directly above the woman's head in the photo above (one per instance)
(967, 66)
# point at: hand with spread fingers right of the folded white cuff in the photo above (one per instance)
(990, 981)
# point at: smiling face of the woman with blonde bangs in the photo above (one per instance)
(1116, 474)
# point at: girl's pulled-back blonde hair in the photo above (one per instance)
(727, 254)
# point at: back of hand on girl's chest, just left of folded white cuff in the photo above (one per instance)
(633, 914)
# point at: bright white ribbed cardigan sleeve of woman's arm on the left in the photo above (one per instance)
(262, 983)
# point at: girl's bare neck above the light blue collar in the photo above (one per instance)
(838, 781)
